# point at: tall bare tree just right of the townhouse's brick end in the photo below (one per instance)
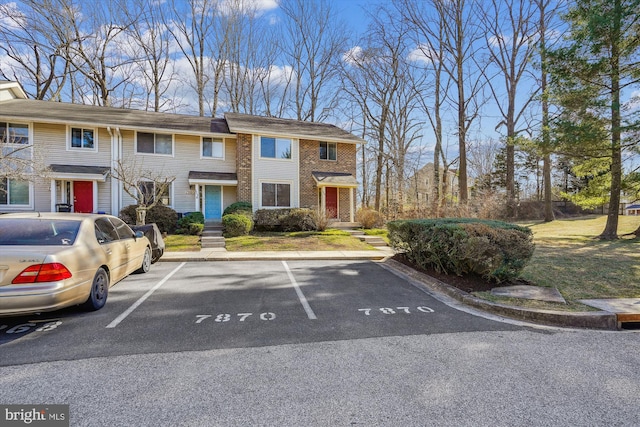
(379, 78)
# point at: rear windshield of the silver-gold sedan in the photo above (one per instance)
(38, 232)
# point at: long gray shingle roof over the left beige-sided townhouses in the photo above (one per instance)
(28, 110)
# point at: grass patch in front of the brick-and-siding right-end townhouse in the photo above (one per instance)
(329, 240)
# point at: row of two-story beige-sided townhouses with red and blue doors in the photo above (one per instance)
(269, 162)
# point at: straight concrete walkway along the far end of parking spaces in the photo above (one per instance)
(221, 254)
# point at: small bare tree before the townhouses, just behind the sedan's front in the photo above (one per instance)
(145, 186)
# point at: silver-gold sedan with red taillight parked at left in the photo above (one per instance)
(53, 260)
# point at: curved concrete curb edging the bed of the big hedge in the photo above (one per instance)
(589, 320)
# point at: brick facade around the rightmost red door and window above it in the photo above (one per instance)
(310, 162)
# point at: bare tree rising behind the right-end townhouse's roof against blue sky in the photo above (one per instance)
(313, 44)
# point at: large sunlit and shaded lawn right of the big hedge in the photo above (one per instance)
(569, 256)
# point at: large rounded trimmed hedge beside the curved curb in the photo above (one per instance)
(495, 250)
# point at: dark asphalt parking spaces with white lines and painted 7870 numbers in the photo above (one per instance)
(234, 304)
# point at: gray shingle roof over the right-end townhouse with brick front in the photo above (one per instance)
(244, 123)
